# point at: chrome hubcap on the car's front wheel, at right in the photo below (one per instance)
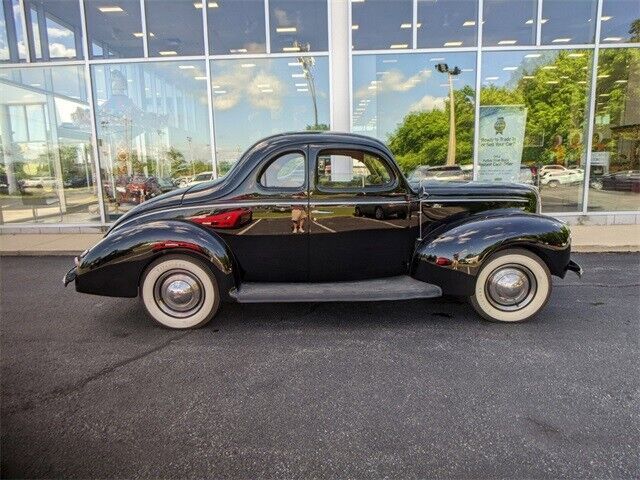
(511, 287)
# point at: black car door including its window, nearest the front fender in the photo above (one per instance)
(358, 215)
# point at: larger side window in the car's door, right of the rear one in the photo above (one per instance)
(340, 169)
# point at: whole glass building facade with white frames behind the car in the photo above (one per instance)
(107, 103)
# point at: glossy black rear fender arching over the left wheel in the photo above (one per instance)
(115, 265)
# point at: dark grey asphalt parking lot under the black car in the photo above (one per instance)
(91, 388)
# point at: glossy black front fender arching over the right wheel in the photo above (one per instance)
(452, 255)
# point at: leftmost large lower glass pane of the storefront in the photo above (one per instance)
(47, 172)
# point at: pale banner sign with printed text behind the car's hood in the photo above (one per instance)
(501, 141)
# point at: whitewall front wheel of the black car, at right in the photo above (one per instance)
(512, 286)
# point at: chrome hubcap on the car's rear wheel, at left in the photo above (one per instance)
(179, 293)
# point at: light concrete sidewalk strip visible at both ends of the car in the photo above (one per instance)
(591, 238)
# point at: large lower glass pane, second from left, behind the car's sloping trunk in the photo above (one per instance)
(152, 124)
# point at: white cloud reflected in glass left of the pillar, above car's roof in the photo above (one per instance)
(263, 90)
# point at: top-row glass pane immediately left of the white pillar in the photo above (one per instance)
(298, 26)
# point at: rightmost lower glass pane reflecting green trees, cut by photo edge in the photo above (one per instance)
(614, 183)
